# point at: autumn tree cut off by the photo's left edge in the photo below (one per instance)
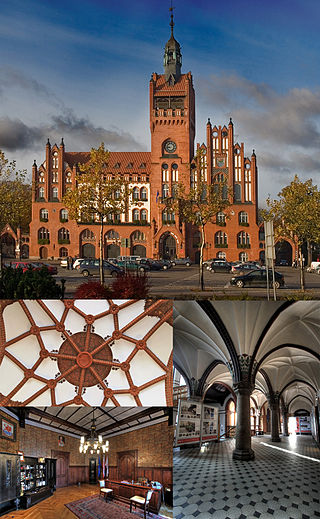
(15, 195)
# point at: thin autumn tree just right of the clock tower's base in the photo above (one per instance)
(201, 203)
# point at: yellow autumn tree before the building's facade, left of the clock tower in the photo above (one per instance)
(98, 195)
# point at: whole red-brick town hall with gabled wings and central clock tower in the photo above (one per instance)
(150, 228)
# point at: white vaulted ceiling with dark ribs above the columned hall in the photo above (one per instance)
(282, 338)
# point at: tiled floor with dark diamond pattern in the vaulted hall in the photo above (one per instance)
(277, 484)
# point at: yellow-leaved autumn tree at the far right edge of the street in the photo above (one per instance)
(296, 215)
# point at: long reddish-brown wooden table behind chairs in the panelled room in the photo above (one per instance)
(123, 491)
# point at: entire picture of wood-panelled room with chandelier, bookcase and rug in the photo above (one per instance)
(61, 461)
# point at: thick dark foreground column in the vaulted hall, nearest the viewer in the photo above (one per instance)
(243, 449)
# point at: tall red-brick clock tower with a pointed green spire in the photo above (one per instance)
(172, 126)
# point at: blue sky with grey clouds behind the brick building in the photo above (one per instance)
(80, 69)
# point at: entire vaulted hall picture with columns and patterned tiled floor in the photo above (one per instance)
(247, 406)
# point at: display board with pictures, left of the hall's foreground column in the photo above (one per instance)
(197, 422)
